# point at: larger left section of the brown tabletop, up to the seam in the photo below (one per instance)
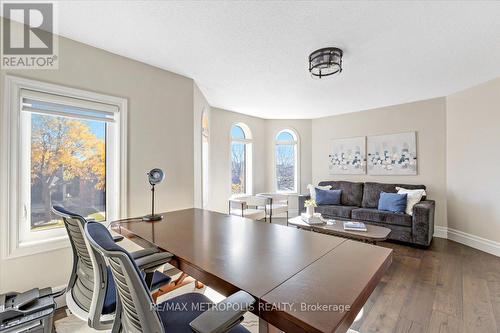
(249, 255)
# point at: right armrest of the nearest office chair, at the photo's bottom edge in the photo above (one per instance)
(224, 315)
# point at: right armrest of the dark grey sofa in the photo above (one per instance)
(423, 222)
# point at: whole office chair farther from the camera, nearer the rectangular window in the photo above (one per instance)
(91, 291)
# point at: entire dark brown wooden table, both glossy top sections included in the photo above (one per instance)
(230, 253)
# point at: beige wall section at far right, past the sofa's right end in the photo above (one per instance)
(473, 159)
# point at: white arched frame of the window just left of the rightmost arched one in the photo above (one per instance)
(248, 142)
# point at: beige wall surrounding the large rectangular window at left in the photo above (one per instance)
(160, 131)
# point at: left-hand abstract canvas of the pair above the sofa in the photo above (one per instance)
(348, 156)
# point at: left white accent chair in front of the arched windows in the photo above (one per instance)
(249, 206)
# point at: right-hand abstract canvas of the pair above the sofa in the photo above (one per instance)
(393, 154)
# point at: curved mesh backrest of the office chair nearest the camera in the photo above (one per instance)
(134, 303)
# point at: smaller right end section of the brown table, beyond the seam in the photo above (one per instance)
(327, 295)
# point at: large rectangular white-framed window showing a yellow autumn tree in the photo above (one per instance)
(70, 154)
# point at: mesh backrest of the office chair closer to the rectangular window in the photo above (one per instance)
(87, 286)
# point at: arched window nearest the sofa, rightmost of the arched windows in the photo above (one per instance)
(286, 160)
